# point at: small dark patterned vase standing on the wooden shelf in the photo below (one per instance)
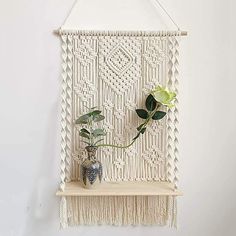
(91, 169)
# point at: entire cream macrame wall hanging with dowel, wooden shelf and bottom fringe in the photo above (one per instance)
(115, 70)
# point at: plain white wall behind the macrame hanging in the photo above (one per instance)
(29, 102)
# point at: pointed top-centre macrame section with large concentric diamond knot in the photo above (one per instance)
(119, 64)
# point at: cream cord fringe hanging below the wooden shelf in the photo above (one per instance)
(122, 210)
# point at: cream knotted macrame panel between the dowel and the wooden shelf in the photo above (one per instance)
(115, 72)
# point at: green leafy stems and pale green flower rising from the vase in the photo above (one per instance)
(154, 103)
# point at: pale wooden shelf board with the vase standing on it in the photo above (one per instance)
(121, 189)
